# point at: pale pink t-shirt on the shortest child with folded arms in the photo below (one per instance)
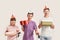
(12, 29)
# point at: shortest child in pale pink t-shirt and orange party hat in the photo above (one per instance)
(12, 30)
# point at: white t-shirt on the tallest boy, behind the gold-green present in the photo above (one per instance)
(46, 31)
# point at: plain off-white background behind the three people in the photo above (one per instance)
(21, 7)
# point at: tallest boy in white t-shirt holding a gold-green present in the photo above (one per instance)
(46, 24)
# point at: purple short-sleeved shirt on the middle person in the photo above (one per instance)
(28, 30)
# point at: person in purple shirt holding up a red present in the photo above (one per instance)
(28, 27)
